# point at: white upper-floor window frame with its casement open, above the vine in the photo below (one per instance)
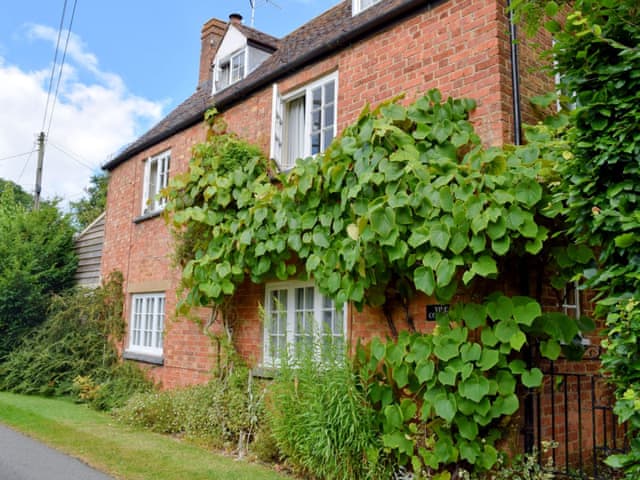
(280, 121)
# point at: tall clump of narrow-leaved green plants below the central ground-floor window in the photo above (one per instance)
(321, 420)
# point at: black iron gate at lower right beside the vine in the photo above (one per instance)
(573, 411)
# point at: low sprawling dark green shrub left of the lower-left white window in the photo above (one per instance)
(73, 353)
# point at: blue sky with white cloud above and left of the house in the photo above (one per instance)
(128, 63)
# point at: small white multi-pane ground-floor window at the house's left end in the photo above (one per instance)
(146, 324)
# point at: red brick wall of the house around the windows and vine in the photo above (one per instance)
(458, 46)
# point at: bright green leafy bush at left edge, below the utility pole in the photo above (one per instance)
(37, 261)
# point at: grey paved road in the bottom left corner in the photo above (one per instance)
(22, 458)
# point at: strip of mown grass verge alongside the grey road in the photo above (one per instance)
(123, 452)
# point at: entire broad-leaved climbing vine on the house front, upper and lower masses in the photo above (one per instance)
(406, 200)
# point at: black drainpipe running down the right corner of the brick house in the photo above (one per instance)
(528, 428)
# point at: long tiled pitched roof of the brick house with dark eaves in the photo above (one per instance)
(324, 35)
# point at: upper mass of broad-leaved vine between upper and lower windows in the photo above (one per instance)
(406, 199)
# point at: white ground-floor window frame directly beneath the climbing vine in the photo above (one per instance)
(290, 336)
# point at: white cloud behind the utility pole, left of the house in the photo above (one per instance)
(94, 116)
